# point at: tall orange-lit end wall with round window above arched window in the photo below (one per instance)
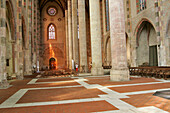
(53, 33)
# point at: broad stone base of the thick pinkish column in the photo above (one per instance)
(119, 75)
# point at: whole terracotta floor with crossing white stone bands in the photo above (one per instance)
(84, 95)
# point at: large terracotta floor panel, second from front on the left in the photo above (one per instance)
(59, 94)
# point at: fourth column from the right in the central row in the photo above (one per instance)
(75, 32)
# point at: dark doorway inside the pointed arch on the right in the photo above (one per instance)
(153, 57)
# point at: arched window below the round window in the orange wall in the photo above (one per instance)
(51, 32)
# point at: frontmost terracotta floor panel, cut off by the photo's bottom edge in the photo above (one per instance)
(85, 107)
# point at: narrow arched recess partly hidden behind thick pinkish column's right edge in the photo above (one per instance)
(128, 49)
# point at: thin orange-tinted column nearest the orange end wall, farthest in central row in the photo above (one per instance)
(67, 40)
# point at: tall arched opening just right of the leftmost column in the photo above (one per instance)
(10, 39)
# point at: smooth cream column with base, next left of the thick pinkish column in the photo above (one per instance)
(95, 28)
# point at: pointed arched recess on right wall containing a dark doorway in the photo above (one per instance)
(146, 45)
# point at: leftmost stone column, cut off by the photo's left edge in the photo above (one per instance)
(3, 79)
